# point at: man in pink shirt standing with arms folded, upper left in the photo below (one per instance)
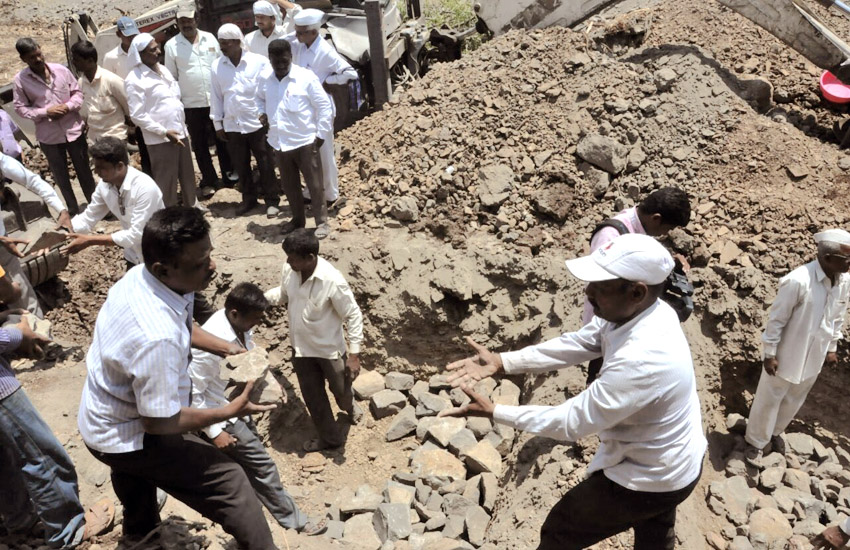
(48, 94)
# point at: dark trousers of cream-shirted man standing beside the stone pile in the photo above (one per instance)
(312, 374)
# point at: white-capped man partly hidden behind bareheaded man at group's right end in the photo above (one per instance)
(311, 51)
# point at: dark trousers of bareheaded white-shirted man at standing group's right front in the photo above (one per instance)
(303, 161)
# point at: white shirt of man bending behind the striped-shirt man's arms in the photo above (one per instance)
(208, 388)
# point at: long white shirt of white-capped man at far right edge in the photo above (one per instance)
(805, 321)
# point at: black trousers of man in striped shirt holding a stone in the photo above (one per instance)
(195, 473)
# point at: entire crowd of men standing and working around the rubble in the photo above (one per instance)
(155, 408)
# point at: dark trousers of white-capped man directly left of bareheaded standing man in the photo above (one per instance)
(241, 147)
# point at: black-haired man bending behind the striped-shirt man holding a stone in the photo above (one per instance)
(243, 308)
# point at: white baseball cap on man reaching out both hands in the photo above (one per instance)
(633, 257)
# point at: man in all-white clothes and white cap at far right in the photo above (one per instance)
(802, 333)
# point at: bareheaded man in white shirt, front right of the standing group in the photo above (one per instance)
(297, 111)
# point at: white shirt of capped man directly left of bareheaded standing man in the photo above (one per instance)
(233, 105)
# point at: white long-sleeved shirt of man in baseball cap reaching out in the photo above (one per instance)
(643, 405)
